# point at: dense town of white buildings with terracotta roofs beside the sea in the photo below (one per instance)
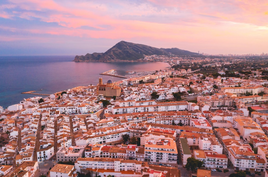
(171, 123)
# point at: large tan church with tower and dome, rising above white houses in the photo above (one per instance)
(109, 89)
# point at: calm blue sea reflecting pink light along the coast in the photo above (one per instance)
(49, 74)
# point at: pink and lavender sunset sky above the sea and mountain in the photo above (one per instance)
(77, 27)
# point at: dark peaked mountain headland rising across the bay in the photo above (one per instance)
(127, 51)
